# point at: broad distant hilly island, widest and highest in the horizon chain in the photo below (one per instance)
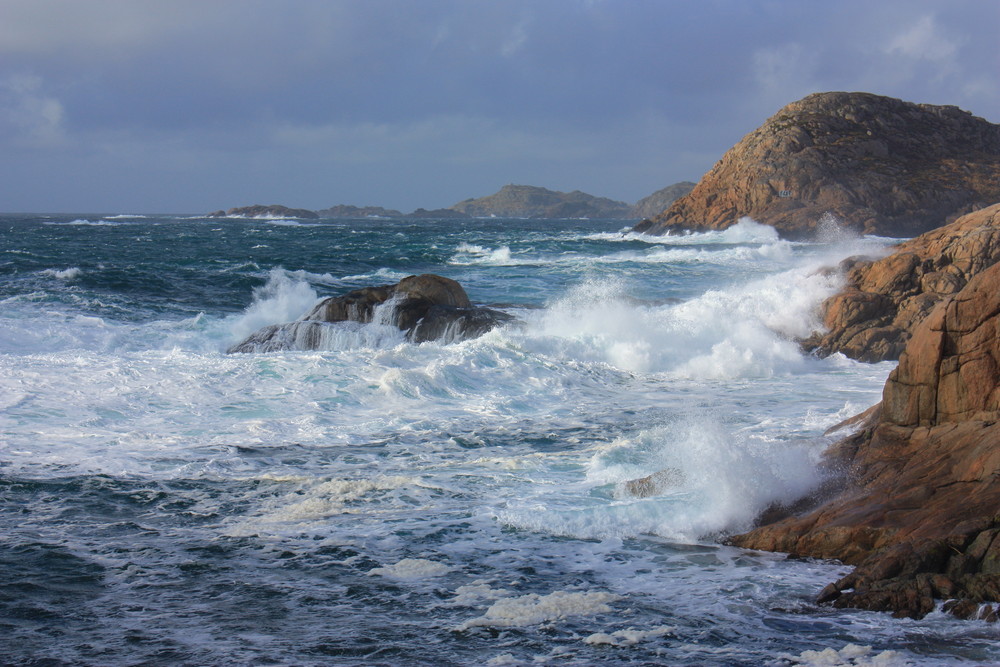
(526, 201)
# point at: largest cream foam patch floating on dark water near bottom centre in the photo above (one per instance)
(534, 609)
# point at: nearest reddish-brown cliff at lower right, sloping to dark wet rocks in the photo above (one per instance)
(919, 512)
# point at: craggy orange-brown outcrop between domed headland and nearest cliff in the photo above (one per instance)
(884, 299)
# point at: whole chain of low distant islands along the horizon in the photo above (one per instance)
(511, 201)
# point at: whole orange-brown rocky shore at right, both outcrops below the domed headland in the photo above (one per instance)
(916, 500)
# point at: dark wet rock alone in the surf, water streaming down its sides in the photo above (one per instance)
(427, 307)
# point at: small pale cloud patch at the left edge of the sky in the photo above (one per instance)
(28, 115)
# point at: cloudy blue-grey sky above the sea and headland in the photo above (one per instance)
(188, 106)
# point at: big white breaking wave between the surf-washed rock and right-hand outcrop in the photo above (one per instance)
(744, 331)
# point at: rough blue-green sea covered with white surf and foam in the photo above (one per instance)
(387, 503)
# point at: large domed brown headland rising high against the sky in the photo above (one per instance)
(880, 165)
